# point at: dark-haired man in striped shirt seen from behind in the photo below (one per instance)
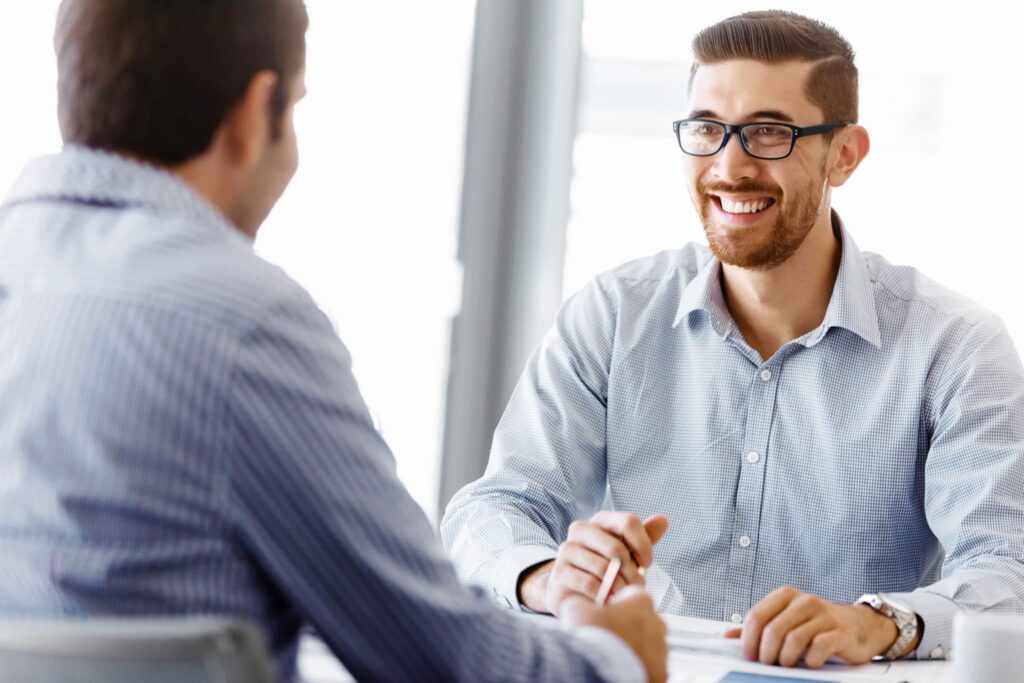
(181, 432)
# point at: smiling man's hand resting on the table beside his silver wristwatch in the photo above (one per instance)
(789, 626)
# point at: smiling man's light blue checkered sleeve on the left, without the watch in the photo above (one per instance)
(547, 466)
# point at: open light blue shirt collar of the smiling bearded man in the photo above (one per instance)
(851, 307)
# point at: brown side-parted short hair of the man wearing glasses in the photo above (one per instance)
(776, 36)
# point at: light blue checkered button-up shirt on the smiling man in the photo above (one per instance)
(881, 452)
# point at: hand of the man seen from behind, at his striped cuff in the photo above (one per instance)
(630, 615)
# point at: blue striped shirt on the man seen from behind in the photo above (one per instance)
(182, 435)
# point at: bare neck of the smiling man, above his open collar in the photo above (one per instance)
(774, 308)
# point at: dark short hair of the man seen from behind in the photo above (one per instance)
(156, 78)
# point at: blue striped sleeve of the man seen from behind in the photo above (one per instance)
(315, 497)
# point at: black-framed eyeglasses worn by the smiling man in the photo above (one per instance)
(705, 138)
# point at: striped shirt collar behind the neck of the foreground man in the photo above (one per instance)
(104, 179)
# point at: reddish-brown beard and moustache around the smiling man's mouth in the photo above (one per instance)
(760, 248)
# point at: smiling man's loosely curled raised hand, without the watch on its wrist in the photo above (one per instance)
(582, 561)
